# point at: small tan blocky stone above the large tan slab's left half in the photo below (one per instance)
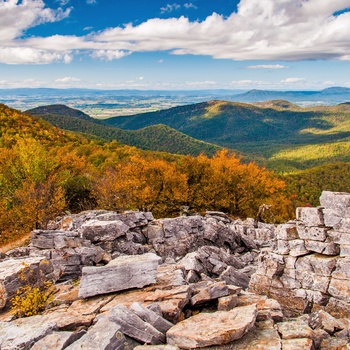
(205, 292)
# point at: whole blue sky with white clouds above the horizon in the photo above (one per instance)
(176, 44)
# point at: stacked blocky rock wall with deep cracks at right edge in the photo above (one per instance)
(307, 271)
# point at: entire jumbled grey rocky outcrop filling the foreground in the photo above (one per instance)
(182, 283)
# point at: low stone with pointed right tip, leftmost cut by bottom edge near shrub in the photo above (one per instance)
(57, 340)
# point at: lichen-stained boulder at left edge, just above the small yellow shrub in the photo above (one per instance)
(16, 273)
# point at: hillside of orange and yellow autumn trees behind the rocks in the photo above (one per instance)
(45, 171)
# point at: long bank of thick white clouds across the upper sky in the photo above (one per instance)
(286, 30)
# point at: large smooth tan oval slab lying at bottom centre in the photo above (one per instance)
(206, 329)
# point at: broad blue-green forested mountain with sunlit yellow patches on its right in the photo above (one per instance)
(277, 134)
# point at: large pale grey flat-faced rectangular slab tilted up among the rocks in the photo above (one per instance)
(125, 272)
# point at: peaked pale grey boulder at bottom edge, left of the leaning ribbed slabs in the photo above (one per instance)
(104, 335)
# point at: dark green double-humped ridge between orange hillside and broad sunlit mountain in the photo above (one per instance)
(155, 137)
